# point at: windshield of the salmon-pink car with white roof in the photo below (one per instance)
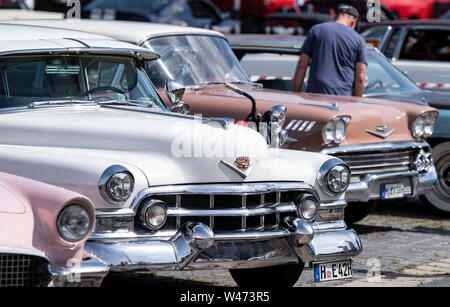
(194, 60)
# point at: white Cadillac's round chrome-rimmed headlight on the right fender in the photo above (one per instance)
(329, 168)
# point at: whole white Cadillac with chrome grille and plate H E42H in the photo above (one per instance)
(171, 191)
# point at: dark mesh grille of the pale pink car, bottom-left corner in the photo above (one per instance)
(17, 270)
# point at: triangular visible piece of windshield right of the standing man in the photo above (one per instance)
(383, 78)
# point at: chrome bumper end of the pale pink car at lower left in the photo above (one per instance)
(89, 273)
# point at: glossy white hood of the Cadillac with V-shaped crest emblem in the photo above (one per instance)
(152, 142)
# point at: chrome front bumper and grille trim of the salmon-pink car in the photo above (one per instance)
(368, 186)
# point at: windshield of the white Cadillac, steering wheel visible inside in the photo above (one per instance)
(28, 79)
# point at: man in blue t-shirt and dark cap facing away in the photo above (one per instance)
(338, 57)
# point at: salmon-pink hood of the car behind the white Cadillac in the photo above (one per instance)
(366, 113)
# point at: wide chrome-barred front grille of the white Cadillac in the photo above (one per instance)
(230, 207)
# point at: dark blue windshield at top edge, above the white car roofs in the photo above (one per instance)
(131, 6)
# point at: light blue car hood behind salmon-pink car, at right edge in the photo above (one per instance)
(436, 100)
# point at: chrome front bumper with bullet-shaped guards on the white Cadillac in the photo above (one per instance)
(195, 246)
